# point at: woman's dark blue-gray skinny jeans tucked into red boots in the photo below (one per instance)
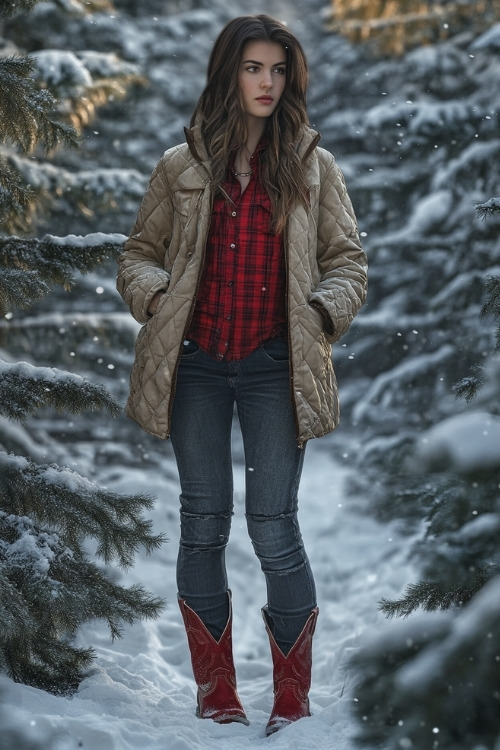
(207, 390)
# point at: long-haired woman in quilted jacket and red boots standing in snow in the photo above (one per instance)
(244, 265)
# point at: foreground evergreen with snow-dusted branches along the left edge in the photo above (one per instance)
(48, 584)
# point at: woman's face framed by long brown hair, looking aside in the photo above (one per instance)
(262, 77)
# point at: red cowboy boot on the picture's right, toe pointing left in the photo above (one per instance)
(291, 676)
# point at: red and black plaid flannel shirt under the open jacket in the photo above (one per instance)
(241, 297)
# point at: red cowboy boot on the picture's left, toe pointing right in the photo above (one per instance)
(213, 669)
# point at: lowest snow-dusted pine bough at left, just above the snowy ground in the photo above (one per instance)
(57, 591)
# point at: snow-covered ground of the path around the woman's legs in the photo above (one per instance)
(141, 694)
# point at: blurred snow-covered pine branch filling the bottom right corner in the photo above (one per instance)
(403, 699)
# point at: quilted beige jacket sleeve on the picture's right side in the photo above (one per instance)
(341, 261)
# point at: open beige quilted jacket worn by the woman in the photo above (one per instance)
(165, 251)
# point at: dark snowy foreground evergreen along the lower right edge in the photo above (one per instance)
(437, 684)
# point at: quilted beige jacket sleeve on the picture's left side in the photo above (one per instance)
(141, 271)
